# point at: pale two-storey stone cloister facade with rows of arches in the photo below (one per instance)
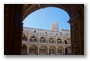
(46, 42)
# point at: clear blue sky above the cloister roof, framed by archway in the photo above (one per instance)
(43, 18)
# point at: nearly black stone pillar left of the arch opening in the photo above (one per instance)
(12, 29)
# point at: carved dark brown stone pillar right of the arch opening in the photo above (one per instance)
(77, 33)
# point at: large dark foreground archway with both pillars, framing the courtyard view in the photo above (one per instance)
(15, 13)
